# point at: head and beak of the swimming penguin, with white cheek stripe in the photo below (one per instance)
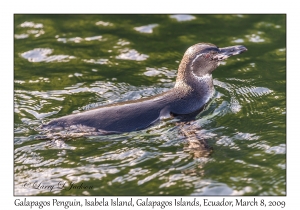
(202, 58)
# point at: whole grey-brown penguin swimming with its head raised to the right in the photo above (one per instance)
(192, 90)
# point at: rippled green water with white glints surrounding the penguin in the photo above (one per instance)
(68, 63)
